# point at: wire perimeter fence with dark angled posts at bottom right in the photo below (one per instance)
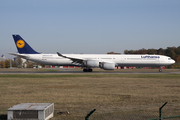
(168, 112)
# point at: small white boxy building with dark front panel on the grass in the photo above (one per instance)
(41, 111)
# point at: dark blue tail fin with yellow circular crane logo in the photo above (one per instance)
(22, 46)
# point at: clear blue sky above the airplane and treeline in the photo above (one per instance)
(90, 26)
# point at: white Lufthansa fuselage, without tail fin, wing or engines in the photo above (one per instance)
(119, 60)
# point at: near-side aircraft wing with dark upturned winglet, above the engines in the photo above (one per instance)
(74, 59)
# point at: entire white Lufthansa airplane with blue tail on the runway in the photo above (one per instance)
(89, 61)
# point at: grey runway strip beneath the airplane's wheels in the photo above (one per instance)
(80, 71)
